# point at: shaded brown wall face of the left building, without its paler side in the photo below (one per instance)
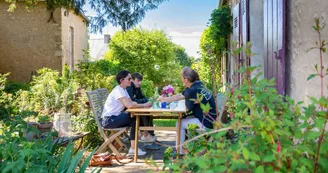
(28, 42)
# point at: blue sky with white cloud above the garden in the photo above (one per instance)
(183, 20)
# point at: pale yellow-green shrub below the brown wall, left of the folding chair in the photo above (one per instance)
(49, 92)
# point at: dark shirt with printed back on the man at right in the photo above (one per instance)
(194, 109)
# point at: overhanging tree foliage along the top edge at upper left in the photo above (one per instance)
(123, 13)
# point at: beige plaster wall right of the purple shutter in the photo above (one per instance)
(300, 37)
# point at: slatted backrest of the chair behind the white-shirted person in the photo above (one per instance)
(97, 99)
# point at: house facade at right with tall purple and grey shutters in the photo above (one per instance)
(281, 32)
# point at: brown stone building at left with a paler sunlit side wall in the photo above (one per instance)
(30, 40)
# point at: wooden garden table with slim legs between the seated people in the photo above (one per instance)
(175, 113)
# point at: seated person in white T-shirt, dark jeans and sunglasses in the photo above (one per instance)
(114, 115)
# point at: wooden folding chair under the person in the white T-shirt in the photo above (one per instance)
(97, 99)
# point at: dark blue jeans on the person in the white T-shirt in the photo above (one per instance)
(122, 120)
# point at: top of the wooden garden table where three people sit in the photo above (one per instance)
(180, 108)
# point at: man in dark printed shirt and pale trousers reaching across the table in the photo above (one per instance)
(194, 95)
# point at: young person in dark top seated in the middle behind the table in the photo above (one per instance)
(136, 95)
